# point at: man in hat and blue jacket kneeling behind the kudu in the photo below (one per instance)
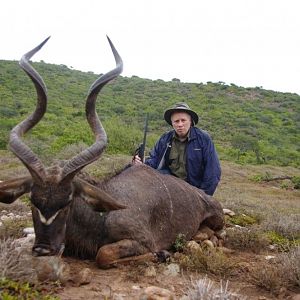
(186, 151)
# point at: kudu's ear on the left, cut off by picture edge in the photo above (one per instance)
(11, 190)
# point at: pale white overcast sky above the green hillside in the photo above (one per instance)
(246, 42)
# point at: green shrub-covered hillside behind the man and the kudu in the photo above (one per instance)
(248, 125)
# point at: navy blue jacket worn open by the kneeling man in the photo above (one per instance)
(202, 165)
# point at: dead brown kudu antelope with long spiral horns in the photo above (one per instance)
(136, 213)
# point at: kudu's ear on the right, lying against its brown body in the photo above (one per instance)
(97, 198)
